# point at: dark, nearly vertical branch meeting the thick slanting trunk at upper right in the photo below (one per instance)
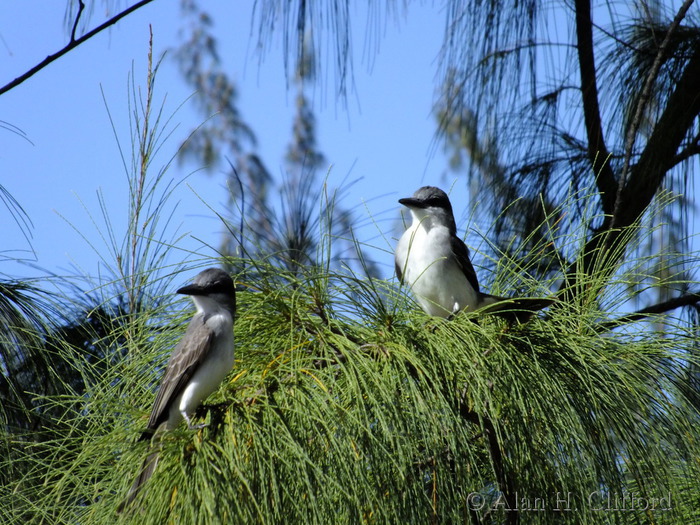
(598, 153)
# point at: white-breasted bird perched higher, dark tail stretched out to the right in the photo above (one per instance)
(435, 263)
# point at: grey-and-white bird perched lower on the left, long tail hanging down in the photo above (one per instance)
(197, 365)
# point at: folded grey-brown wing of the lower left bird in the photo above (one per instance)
(183, 363)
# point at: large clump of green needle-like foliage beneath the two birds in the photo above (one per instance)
(340, 412)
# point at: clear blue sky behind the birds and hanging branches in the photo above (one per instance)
(383, 134)
